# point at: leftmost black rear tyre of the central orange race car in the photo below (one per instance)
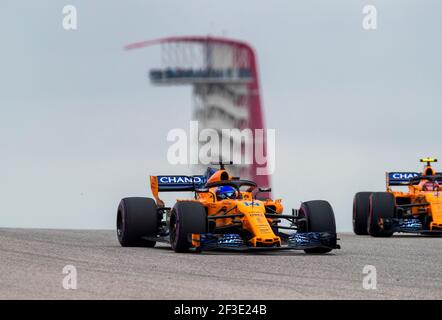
(137, 218)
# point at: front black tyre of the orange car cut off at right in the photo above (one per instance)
(382, 205)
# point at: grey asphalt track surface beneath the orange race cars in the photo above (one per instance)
(32, 260)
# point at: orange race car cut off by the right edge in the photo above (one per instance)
(418, 210)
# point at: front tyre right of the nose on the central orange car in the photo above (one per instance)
(320, 218)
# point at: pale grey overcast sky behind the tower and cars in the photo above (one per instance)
(82, 127)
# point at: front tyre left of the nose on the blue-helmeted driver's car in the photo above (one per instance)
(186, 218)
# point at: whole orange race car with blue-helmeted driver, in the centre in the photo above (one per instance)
(223, 214)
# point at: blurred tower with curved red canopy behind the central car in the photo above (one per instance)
(224, 76)
